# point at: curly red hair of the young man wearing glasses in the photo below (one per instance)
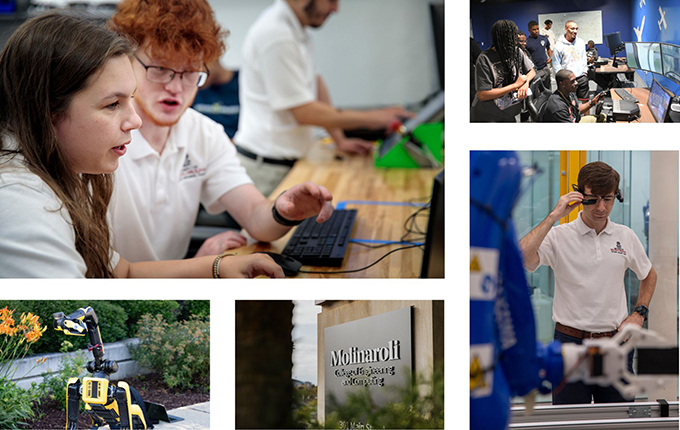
(173, 30)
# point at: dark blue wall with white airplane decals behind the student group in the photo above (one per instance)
(617, 15)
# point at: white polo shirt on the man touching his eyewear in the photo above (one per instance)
(589, 272)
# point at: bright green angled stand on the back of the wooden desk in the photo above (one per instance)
(430, 134)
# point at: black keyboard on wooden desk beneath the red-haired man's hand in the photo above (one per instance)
(322, 244)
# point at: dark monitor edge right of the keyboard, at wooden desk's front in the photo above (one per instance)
(433, 257)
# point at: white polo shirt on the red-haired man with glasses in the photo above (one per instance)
(156, 196)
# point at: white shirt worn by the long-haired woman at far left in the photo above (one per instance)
(37, 239)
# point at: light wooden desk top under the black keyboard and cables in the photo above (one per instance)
(355, 178)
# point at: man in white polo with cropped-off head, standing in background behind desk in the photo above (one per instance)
(283, 96)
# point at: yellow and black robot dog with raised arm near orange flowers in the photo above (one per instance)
(106, 402)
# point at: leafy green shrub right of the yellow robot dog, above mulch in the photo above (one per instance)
(179, 351)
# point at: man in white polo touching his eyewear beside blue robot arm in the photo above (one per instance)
(589, 257)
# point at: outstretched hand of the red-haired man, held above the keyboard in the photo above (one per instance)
(305, 200)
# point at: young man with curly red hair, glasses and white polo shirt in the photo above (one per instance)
(179, 158)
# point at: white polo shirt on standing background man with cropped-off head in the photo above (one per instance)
(278, 73)
